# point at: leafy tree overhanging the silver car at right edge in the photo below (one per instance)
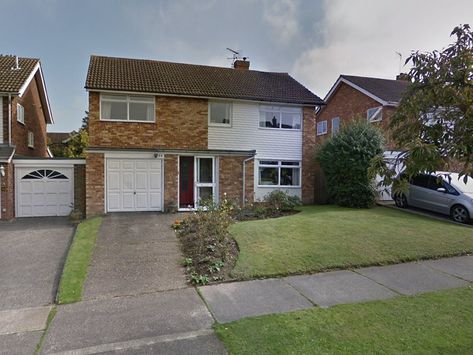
(434, 120)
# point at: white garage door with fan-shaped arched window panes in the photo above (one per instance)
(44, 191)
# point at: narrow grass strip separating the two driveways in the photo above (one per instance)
(77, 262)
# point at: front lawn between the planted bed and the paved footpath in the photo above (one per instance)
(328, 237)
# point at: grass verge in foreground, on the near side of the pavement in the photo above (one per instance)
(433, 323)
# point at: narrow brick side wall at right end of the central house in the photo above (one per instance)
(308, 150)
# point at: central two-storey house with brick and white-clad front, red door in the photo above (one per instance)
(163, 136)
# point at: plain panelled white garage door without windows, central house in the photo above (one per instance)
(134, 185)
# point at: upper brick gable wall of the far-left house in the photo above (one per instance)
(34, 122)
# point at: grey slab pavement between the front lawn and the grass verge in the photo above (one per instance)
(233, 301)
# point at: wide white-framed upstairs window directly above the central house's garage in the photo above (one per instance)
(127, 108)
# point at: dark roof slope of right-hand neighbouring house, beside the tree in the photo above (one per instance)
(387, 90)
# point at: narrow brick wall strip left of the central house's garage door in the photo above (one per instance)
(94, 181)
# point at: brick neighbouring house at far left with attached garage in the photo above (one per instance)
(31, 183)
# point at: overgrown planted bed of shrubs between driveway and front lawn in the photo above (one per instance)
(210, 252)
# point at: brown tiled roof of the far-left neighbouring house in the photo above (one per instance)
(11, 79)
